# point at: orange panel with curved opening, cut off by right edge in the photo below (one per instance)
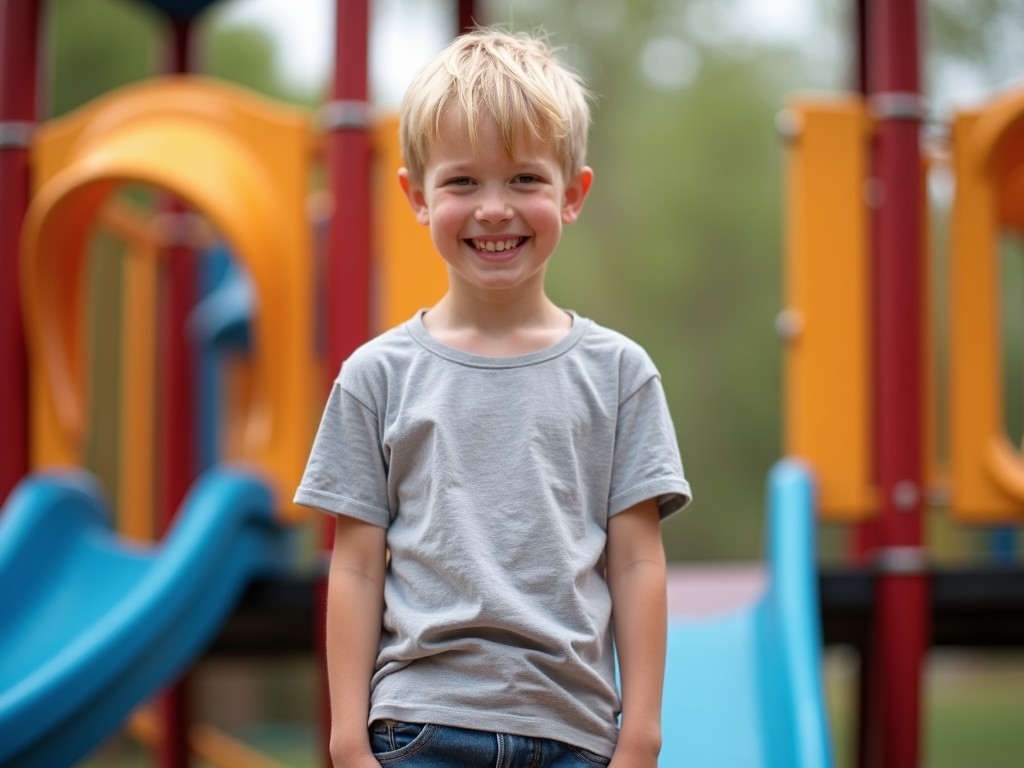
(987, 471)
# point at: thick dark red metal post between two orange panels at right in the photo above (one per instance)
(901, 631)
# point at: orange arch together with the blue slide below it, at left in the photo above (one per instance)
(146, 615)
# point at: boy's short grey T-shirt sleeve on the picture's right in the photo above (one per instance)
(647, 463)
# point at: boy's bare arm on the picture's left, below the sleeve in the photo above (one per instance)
(355, 611)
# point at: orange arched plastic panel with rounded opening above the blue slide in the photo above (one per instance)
(241, 160)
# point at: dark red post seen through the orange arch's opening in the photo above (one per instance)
(178, 434)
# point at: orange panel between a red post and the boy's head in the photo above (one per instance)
(410, 274)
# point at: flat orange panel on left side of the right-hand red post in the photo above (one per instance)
(826, 323)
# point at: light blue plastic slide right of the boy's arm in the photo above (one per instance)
(744, 689)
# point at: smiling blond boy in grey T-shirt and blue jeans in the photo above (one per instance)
(515, 460)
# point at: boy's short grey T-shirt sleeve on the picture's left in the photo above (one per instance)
(347, 474)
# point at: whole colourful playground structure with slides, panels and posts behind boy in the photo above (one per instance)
(744, 688)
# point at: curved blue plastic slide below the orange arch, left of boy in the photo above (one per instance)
(92, 625)
